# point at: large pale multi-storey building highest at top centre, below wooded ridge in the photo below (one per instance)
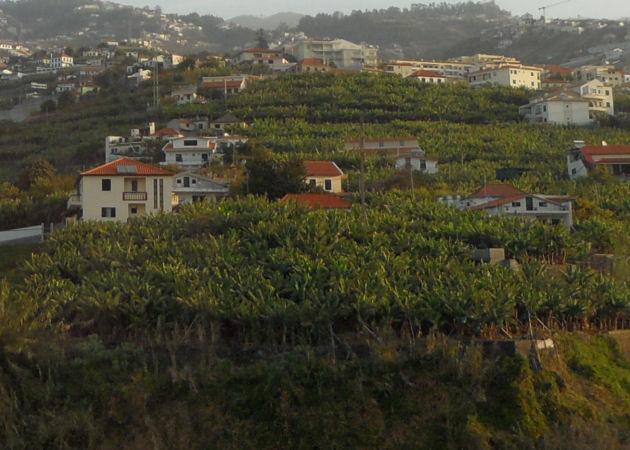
(338, 52)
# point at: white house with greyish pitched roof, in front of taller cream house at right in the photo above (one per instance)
(561, 109)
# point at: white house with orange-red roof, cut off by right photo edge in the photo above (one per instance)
(612, 159)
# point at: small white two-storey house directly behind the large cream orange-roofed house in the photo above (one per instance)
(189, 152)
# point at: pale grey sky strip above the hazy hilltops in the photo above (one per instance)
(610, 9)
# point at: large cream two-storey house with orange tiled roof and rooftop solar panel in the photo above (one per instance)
(121, 190)
